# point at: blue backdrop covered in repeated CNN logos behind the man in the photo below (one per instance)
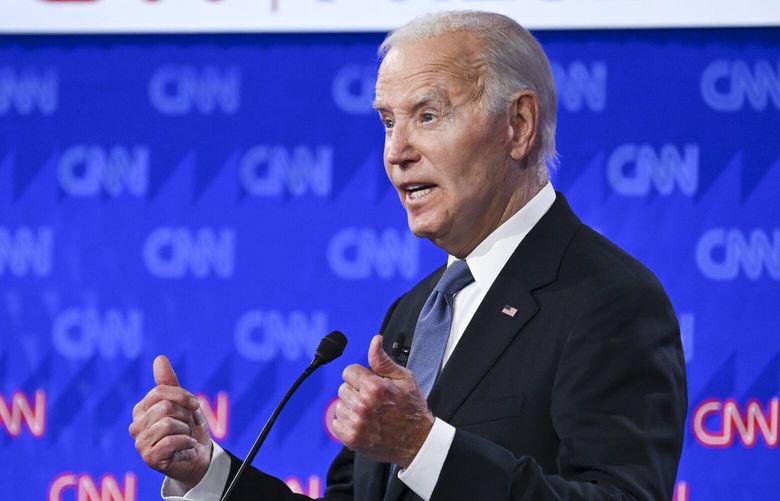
(221, 199)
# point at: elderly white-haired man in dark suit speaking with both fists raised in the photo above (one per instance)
(545, 362)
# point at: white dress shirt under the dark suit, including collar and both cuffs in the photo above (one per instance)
(485, 262)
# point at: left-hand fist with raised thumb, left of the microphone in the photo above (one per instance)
(170, 430)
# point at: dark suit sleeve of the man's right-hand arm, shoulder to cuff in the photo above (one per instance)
(618, 408)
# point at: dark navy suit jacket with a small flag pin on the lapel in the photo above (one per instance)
(581, 395)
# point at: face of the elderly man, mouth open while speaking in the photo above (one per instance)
(448, 159)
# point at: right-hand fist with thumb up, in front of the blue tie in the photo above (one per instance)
(381, 411)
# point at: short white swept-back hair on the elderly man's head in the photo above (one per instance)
(514, 62)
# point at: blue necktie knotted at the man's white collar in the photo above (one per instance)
(433, 326)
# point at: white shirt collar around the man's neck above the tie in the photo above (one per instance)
(489, 257)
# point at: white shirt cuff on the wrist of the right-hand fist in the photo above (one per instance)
(422, 475)
